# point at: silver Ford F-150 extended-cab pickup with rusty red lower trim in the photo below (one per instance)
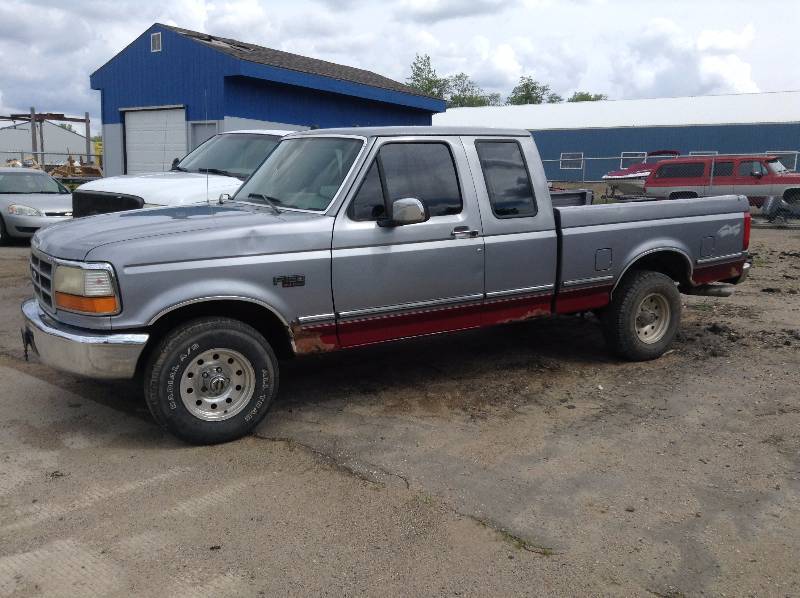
(347, 237)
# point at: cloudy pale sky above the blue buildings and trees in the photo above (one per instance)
(623, 48)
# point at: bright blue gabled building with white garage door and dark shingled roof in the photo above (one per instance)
(172, 88)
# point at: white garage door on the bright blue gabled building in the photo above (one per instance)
(153, 138)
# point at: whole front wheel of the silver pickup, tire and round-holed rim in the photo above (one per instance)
(211, 380)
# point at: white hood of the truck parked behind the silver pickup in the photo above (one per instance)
(171, 188)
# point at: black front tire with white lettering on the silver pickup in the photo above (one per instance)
(166, 371)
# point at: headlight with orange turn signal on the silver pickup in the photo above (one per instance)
(88, 289)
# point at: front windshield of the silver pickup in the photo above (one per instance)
(302, 173)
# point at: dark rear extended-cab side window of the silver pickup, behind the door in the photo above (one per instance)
(508, 183)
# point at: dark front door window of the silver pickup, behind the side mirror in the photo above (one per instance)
(422, 170)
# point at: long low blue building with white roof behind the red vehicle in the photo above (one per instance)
(583, 141)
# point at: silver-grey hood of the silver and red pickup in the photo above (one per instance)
(165, 234)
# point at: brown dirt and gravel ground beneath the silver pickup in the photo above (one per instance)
(517, 461)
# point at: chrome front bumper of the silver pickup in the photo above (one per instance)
(84, 352)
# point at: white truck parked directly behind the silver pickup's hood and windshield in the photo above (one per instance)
(217, 166)
